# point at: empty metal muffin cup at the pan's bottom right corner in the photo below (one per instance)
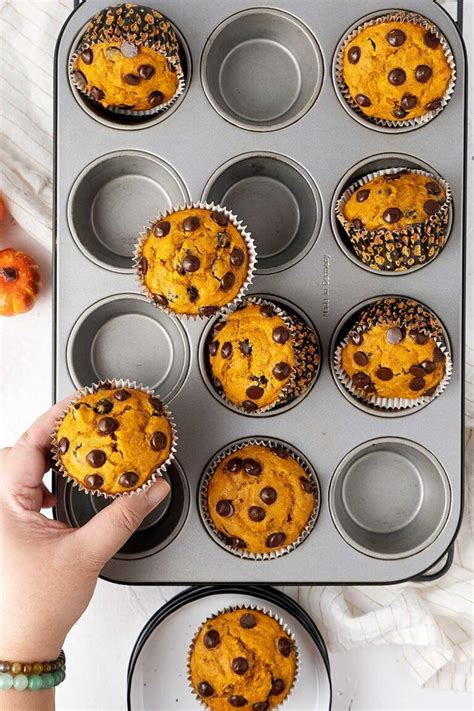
(389, 498)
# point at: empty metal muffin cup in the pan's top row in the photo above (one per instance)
(262, 69)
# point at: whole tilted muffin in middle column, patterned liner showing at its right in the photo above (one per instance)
(260, 356)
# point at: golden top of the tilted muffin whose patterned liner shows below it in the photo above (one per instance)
(393, 201)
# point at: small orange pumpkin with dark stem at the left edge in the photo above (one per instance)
(19, 282)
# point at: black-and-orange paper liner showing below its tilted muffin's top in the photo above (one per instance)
(398, 245)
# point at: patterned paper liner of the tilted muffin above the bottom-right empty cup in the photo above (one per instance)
(429, 325)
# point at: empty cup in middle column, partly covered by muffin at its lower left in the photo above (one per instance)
(280, 201)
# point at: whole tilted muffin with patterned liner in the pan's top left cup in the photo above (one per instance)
(128, 60)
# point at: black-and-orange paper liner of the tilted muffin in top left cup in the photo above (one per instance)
(100, 30)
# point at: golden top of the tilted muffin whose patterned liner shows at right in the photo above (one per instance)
(251, 355)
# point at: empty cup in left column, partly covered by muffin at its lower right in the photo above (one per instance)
(112, 199)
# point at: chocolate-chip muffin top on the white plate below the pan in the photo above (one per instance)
(242, 659)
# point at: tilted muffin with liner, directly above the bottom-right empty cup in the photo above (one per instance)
(395, 349)
